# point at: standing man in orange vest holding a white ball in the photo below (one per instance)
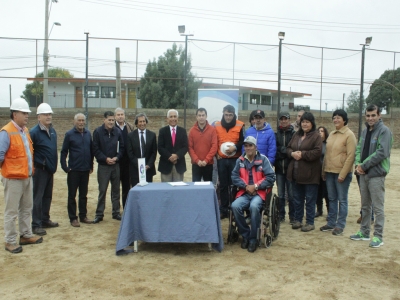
(230, 140)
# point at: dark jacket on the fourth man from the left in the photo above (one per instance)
(105, 144)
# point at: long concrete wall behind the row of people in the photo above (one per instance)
(63, 120)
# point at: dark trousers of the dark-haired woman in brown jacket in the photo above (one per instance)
(309, 192)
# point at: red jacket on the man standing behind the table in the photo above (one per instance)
(202, 145)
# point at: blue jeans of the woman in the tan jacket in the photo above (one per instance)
(338, 199)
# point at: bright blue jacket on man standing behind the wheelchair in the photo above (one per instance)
(266, 143)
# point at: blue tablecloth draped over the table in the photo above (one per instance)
(159, 212)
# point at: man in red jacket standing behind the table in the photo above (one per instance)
(203, 145)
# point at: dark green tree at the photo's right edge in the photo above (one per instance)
(383, 90)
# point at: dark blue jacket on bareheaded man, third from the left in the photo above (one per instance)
(78, 147)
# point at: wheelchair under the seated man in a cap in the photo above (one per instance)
(268, 230)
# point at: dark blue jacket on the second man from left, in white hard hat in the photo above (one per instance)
(45, 148)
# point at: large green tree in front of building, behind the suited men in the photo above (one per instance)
(162, 85)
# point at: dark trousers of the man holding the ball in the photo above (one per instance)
(225, 168)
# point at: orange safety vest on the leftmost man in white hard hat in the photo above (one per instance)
(15, 164)
